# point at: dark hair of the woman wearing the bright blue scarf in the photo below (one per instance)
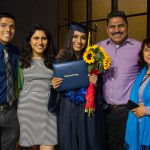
(141, 61)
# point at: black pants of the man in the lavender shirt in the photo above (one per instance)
(115, 128)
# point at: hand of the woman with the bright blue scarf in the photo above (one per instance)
(139, 111)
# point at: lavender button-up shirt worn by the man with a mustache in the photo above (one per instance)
(119, 78)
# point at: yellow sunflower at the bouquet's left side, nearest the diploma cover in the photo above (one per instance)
(88, 57)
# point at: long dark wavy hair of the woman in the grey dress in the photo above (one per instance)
(48, 54)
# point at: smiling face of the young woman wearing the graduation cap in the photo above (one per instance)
(78, 41)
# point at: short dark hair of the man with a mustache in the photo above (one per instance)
(114, 14)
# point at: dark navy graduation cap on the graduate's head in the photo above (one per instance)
(78, 26)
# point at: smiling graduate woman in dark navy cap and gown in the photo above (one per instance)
(76, 130)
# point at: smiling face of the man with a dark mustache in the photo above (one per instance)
(117, 30)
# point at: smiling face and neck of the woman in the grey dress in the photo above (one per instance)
(38, 43)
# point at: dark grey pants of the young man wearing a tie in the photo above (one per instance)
(9, 129)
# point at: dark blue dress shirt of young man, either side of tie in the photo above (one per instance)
(13, 52)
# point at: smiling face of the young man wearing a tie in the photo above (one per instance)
(7, 30)
